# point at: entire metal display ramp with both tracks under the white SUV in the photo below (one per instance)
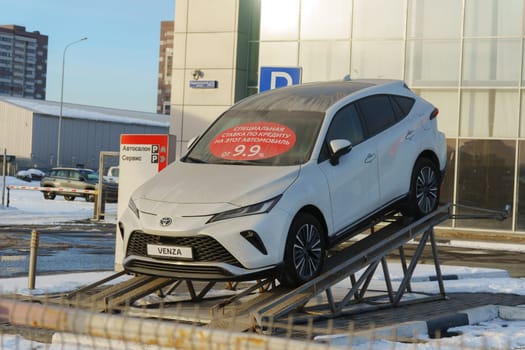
(242, 306)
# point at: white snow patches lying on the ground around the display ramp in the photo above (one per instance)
(29, 207)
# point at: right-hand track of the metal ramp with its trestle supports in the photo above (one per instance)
(367, 253)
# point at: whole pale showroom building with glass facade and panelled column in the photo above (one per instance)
(465, 56)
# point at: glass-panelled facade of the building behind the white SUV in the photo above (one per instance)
(465, 56)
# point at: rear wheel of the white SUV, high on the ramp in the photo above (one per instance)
(424, 188)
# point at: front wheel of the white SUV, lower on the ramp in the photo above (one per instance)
(304, 252)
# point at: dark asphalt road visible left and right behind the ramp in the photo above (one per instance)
(89, 246)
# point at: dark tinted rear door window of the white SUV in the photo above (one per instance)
(377, 112)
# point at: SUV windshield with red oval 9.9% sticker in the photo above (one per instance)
(258, 138)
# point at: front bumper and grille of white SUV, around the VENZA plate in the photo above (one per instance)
(220, 251)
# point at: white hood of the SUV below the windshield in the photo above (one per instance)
(239, 185)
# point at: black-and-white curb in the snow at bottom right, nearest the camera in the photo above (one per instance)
(437, 326)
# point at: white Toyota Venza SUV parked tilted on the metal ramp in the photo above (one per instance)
(281, 177)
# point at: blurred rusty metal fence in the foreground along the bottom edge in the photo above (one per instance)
(28, 322)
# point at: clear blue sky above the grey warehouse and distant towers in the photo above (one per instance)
(116, 66)
